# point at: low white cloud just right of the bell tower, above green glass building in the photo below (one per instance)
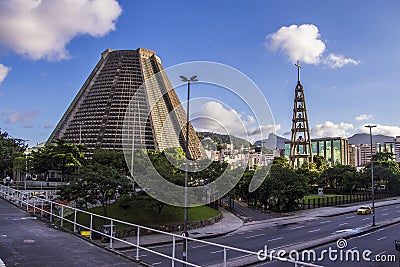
(330, 129)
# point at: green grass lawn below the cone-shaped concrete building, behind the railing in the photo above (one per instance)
(144, 214)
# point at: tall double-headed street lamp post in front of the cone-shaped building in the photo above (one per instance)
(185, 213)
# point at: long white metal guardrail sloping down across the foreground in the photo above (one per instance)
(67, 217)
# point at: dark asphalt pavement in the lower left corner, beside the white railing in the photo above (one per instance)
(26, 241)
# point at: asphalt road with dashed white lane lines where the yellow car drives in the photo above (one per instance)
(254, 237)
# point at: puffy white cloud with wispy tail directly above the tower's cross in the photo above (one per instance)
(303, 43)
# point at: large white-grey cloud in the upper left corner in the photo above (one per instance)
(40, 29)
